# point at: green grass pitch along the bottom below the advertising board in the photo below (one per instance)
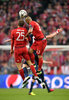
(41, 94)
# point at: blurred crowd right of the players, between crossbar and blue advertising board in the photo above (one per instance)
(59, 62)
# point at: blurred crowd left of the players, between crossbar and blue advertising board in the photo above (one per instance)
(7, 63)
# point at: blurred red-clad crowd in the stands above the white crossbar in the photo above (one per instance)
(50, 14)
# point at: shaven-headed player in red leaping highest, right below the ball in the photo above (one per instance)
(40, 41)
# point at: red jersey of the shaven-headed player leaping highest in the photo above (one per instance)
(37, 33)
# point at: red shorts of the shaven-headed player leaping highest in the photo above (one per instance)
(39, 46)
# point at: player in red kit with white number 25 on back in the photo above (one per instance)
(18, 41)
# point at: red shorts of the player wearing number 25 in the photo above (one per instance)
(21, 53)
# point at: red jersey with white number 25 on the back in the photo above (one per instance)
(18, 37)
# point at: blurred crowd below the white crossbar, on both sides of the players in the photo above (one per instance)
(59, 62)
